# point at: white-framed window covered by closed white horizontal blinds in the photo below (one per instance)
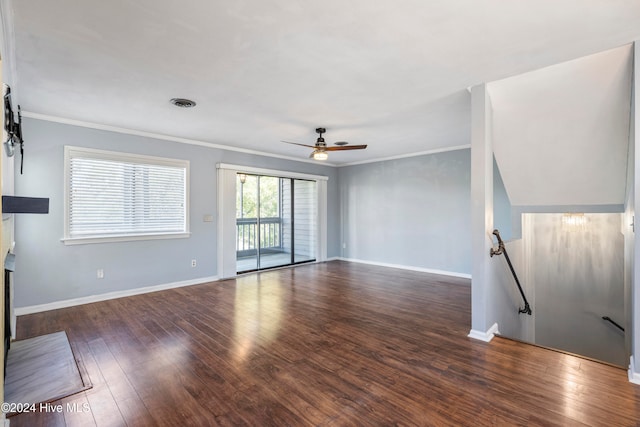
(113, 196)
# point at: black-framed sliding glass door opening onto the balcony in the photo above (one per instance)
(275, 221)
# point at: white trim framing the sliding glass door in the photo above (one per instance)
(227, 212)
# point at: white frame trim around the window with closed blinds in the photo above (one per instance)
(120, 156)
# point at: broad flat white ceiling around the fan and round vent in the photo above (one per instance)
(389, 74)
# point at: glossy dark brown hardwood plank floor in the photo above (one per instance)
(333, 344)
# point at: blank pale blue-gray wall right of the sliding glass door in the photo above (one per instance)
(413, 212)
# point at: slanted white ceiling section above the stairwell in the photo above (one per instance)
(561, 134)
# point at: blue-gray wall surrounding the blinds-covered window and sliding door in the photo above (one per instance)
(48, 271)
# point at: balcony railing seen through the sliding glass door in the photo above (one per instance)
(247, 235)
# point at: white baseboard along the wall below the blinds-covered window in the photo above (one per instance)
(20, 311)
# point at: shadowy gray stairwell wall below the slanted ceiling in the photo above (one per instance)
(576, 278)
